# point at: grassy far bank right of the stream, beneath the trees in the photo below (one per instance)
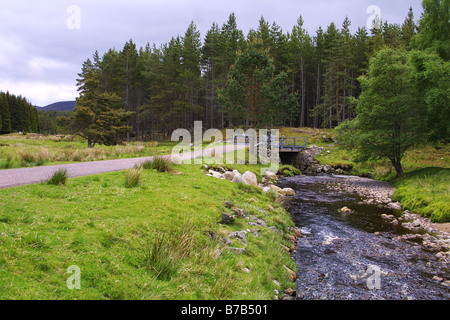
(423, 190)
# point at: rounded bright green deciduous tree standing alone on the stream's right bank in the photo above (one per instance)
(388, 119)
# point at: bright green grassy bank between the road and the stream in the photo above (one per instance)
(160, 238)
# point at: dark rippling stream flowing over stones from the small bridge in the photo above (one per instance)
(356, 256)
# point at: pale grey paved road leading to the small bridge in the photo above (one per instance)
(25, 176)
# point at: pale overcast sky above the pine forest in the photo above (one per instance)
(43, 43)
